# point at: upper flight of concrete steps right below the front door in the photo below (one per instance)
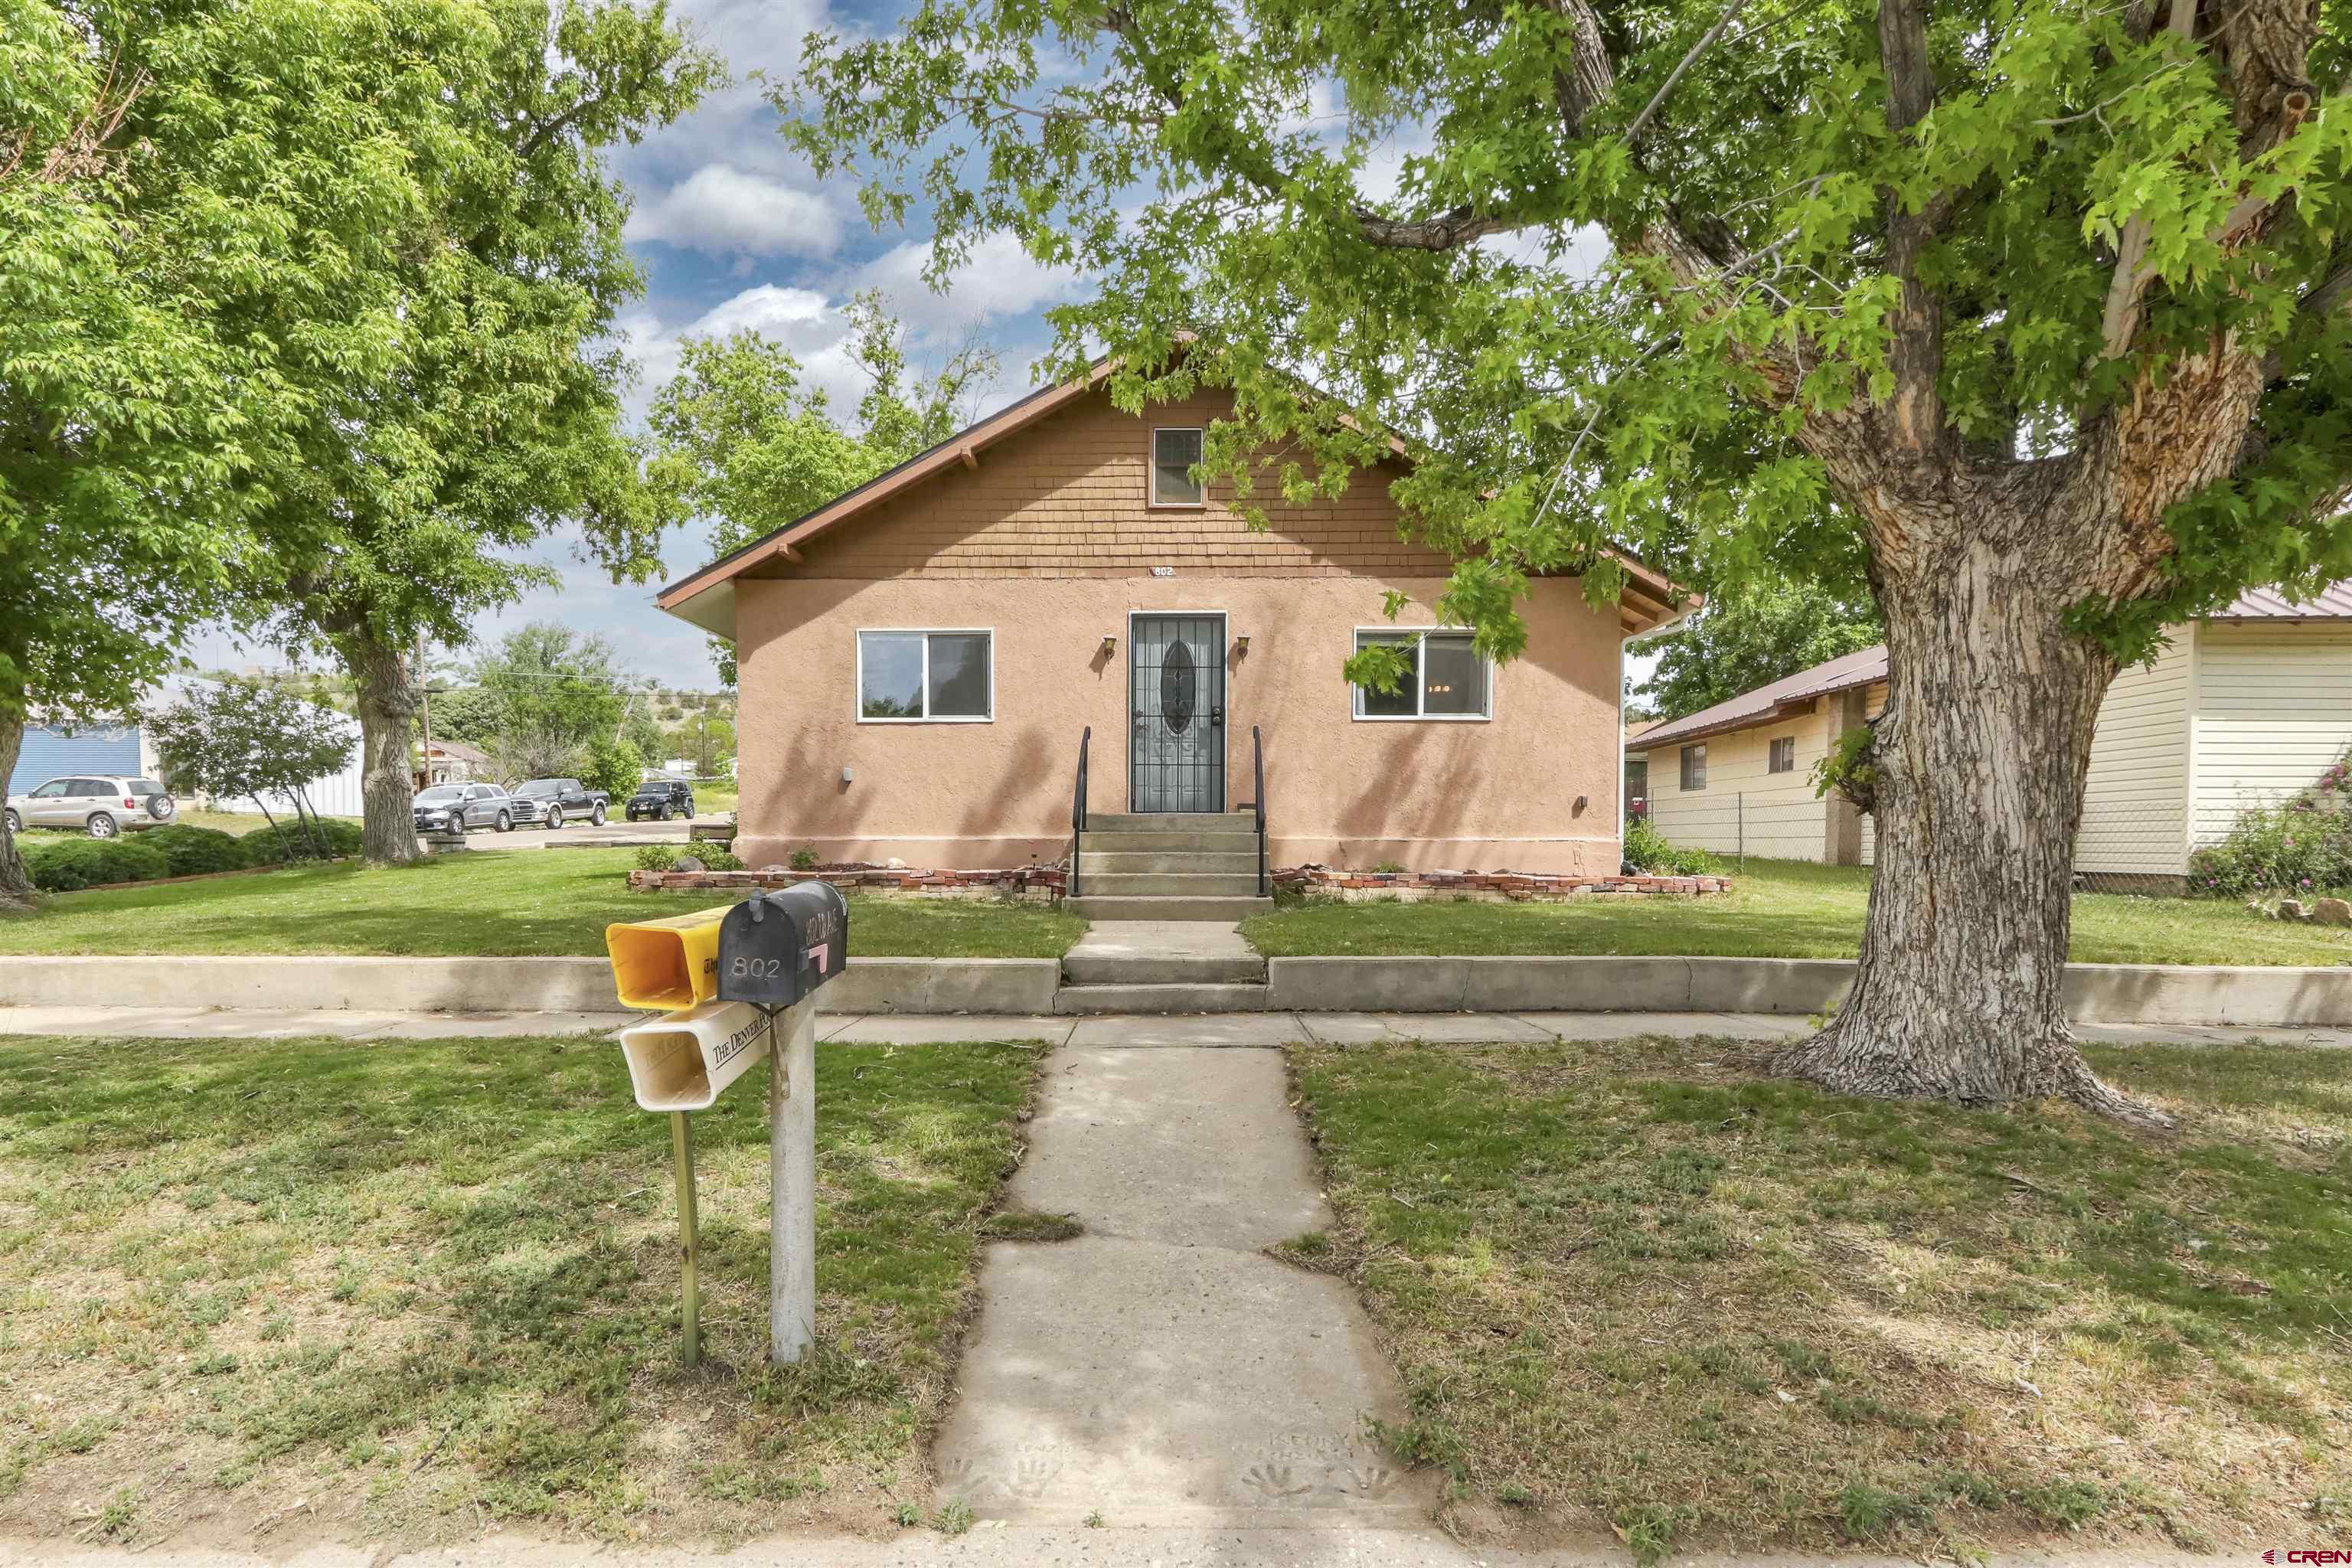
(1170, 866)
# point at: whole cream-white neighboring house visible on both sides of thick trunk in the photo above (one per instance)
(2243, 709)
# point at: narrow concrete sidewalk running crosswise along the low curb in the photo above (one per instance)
(1109, 1031)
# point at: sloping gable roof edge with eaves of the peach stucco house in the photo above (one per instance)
(707, 596)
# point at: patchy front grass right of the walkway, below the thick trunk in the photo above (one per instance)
(1641, 1289)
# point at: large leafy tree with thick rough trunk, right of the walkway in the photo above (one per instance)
(2036, 309)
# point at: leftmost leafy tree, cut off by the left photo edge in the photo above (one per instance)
(199, 220)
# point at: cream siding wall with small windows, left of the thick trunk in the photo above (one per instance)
(1784, 819)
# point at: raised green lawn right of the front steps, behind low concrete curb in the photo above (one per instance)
(1777, 909)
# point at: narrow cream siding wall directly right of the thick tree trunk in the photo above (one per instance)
(2134, 808)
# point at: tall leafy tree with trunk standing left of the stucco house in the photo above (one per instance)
(502, 420)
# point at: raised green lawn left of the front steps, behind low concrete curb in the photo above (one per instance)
(519, 902)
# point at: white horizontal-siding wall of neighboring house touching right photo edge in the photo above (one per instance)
(2273, 713)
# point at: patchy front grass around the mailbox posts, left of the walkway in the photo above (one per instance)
(403, 1292)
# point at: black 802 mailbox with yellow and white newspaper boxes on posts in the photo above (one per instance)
(733, 979)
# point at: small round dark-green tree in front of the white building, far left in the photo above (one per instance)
(250, 739)
